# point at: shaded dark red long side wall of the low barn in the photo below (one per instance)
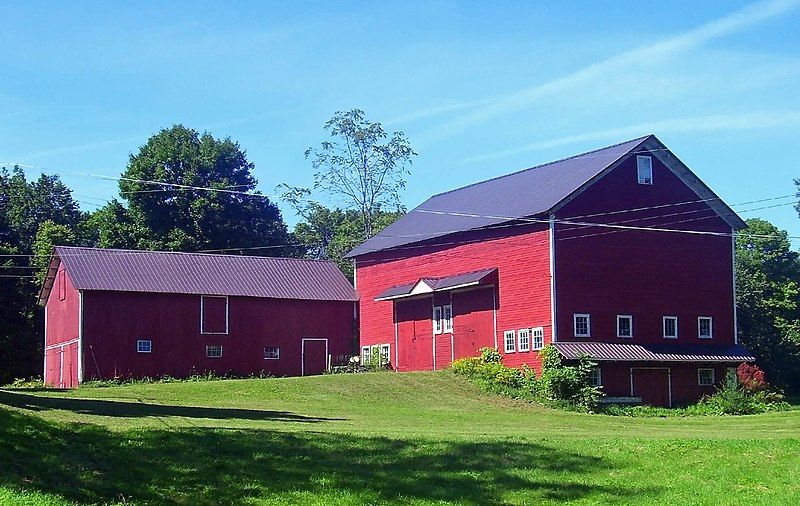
(114, 321)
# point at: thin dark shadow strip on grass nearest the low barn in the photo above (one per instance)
(138, 409)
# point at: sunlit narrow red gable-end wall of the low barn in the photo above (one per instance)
(61, 333)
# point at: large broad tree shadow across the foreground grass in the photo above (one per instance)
(88, 463)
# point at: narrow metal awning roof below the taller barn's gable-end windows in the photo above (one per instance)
(653, 352)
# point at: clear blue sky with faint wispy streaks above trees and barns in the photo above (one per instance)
(480, 90)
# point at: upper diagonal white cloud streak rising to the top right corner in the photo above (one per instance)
(747, 17)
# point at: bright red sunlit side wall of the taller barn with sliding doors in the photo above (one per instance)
(522, 295)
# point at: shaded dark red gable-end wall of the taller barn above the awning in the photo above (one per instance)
(606, 272)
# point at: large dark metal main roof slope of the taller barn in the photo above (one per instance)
(525, 193)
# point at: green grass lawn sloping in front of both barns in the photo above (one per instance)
(416, 438)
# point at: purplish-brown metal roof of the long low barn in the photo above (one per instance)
(197, 273)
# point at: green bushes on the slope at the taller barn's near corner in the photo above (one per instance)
(559, 385)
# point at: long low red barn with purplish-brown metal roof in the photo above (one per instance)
(120, 313)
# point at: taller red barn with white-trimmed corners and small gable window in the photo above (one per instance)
(622, 254)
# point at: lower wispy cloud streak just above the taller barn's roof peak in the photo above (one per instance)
(695, 124)
